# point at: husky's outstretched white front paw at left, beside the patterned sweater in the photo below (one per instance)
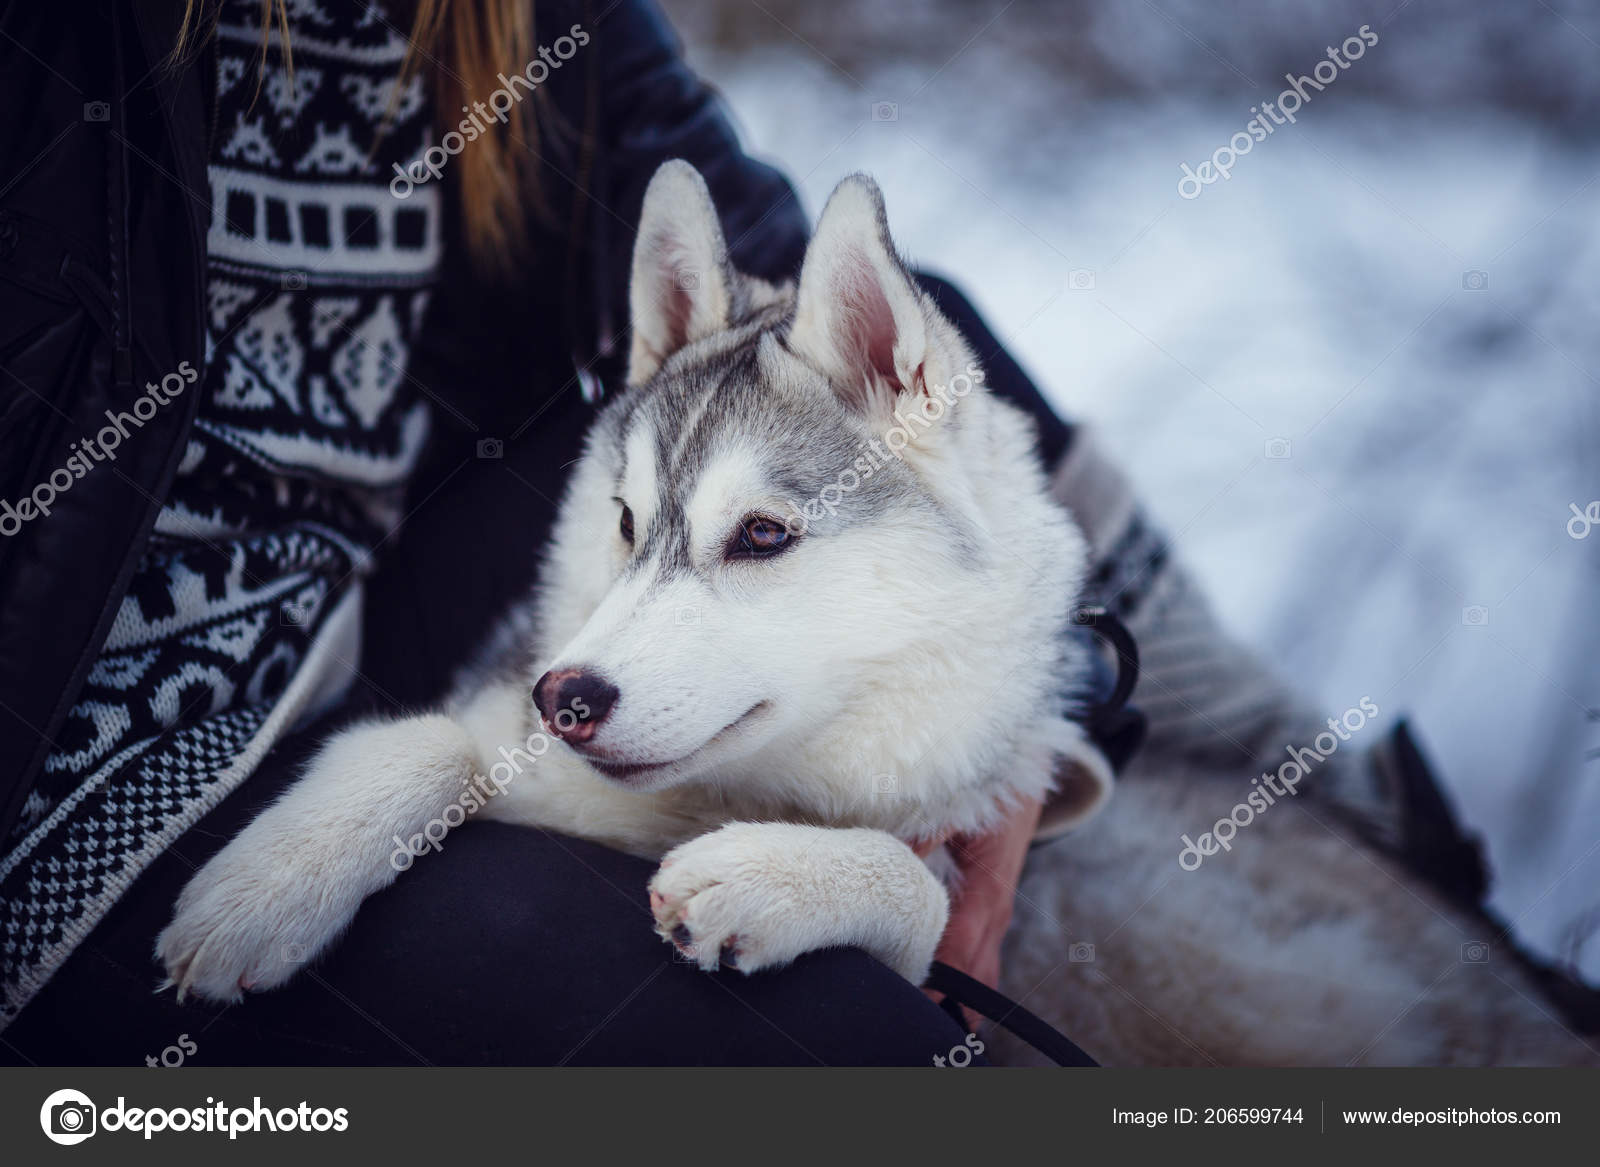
(249, 921)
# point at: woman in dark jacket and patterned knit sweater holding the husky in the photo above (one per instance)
(294, 297)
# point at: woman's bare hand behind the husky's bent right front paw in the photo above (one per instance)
(990, 868)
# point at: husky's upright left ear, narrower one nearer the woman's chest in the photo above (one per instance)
(681, 289)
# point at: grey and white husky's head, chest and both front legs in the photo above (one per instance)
(804, 616)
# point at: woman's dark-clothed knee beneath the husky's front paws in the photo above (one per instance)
(543, 952)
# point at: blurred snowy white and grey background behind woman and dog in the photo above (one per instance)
(1358, 382)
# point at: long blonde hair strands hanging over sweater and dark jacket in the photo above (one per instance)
(466, 44)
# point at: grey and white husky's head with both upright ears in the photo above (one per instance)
(778, 532)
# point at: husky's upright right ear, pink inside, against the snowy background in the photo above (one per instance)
(858, 316)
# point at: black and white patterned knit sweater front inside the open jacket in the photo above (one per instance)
(295, 467)
